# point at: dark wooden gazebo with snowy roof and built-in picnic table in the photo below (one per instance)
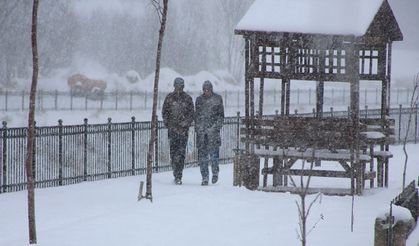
(323, 41)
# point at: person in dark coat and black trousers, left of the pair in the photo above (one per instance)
(178, 115)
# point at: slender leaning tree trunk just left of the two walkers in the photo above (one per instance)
(148, 194)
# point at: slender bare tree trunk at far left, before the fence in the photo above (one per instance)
(31, 129)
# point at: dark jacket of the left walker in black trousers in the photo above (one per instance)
(178, 113)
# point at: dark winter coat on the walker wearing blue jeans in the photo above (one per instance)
(209, 119)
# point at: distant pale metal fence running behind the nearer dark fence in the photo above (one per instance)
(135, 100)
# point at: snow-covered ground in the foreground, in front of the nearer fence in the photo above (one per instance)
(107, 213)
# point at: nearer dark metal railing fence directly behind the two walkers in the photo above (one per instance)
(68, 154)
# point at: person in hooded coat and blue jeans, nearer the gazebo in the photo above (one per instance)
(209, 119)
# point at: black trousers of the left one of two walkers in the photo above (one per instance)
(177, 153)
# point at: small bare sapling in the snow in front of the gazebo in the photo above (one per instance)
(303, 207)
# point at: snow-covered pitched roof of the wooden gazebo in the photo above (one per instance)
(327, 17)
